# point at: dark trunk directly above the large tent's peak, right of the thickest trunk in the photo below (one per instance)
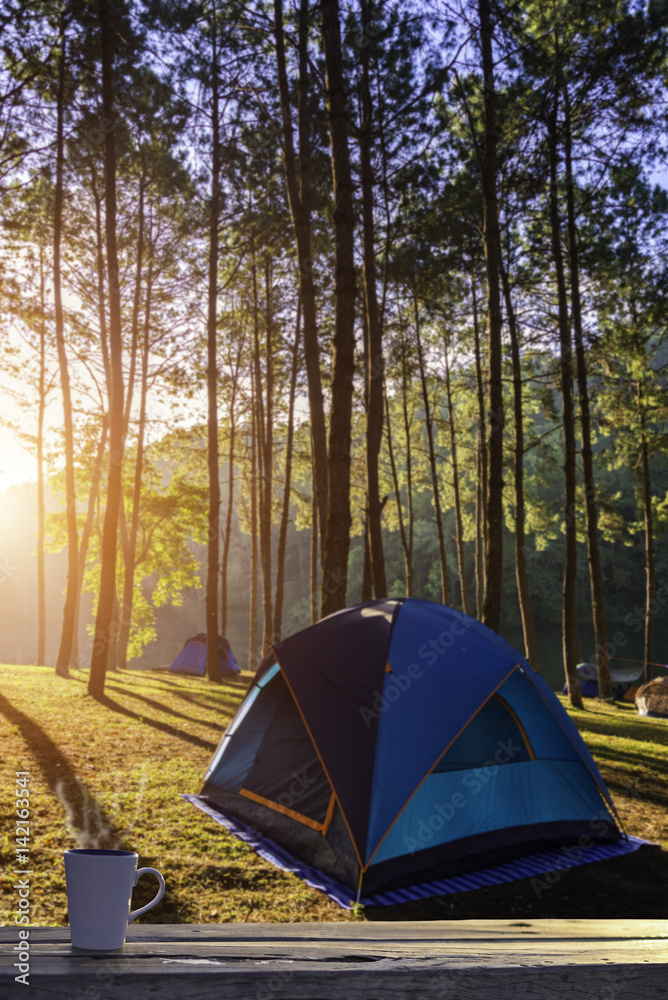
(374, 330)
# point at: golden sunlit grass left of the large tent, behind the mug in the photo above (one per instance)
(112, 774)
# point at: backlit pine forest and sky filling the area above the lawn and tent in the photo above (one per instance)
(308, 303)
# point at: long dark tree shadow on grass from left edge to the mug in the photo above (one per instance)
(86, 819)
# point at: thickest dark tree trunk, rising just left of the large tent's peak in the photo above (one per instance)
(337, 532)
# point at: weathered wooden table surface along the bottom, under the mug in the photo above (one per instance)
(421, 960)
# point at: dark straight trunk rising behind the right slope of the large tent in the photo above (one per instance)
(494, 501)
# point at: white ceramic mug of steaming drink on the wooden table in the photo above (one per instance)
(99, 894)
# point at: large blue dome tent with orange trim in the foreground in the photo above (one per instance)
(397, 749)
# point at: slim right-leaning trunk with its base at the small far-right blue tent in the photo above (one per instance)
(591, 511)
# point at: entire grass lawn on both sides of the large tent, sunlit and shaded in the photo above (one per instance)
(110, 774)
